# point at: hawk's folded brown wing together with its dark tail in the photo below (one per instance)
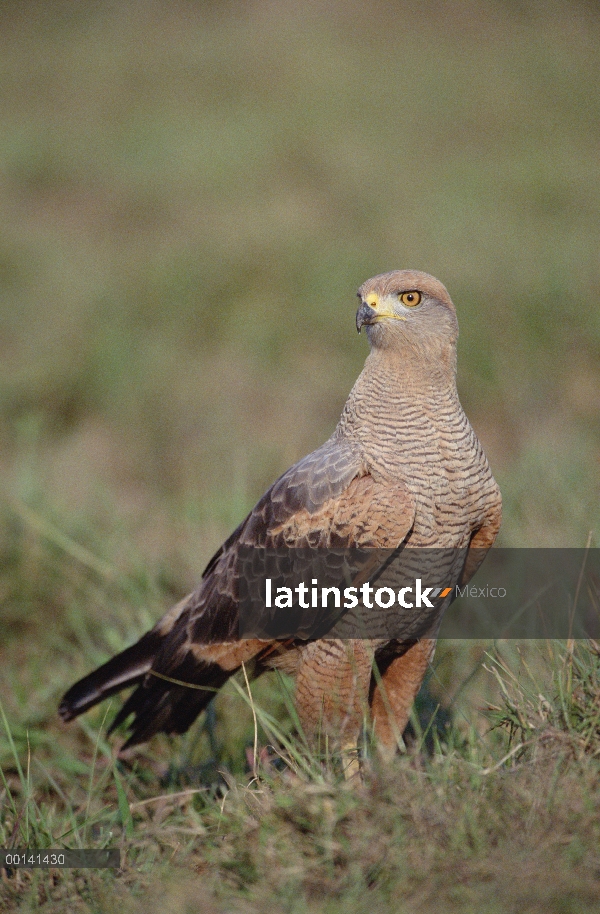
(328, 500)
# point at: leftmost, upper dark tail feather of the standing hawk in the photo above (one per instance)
(125, 669)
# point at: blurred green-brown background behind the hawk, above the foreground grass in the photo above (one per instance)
(191, 194)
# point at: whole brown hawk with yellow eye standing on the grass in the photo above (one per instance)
(402, 468)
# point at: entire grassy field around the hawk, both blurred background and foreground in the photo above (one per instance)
(191, 194)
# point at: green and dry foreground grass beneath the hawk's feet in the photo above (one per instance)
(430, 832)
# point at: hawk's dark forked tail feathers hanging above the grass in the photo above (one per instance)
(160, 703)
